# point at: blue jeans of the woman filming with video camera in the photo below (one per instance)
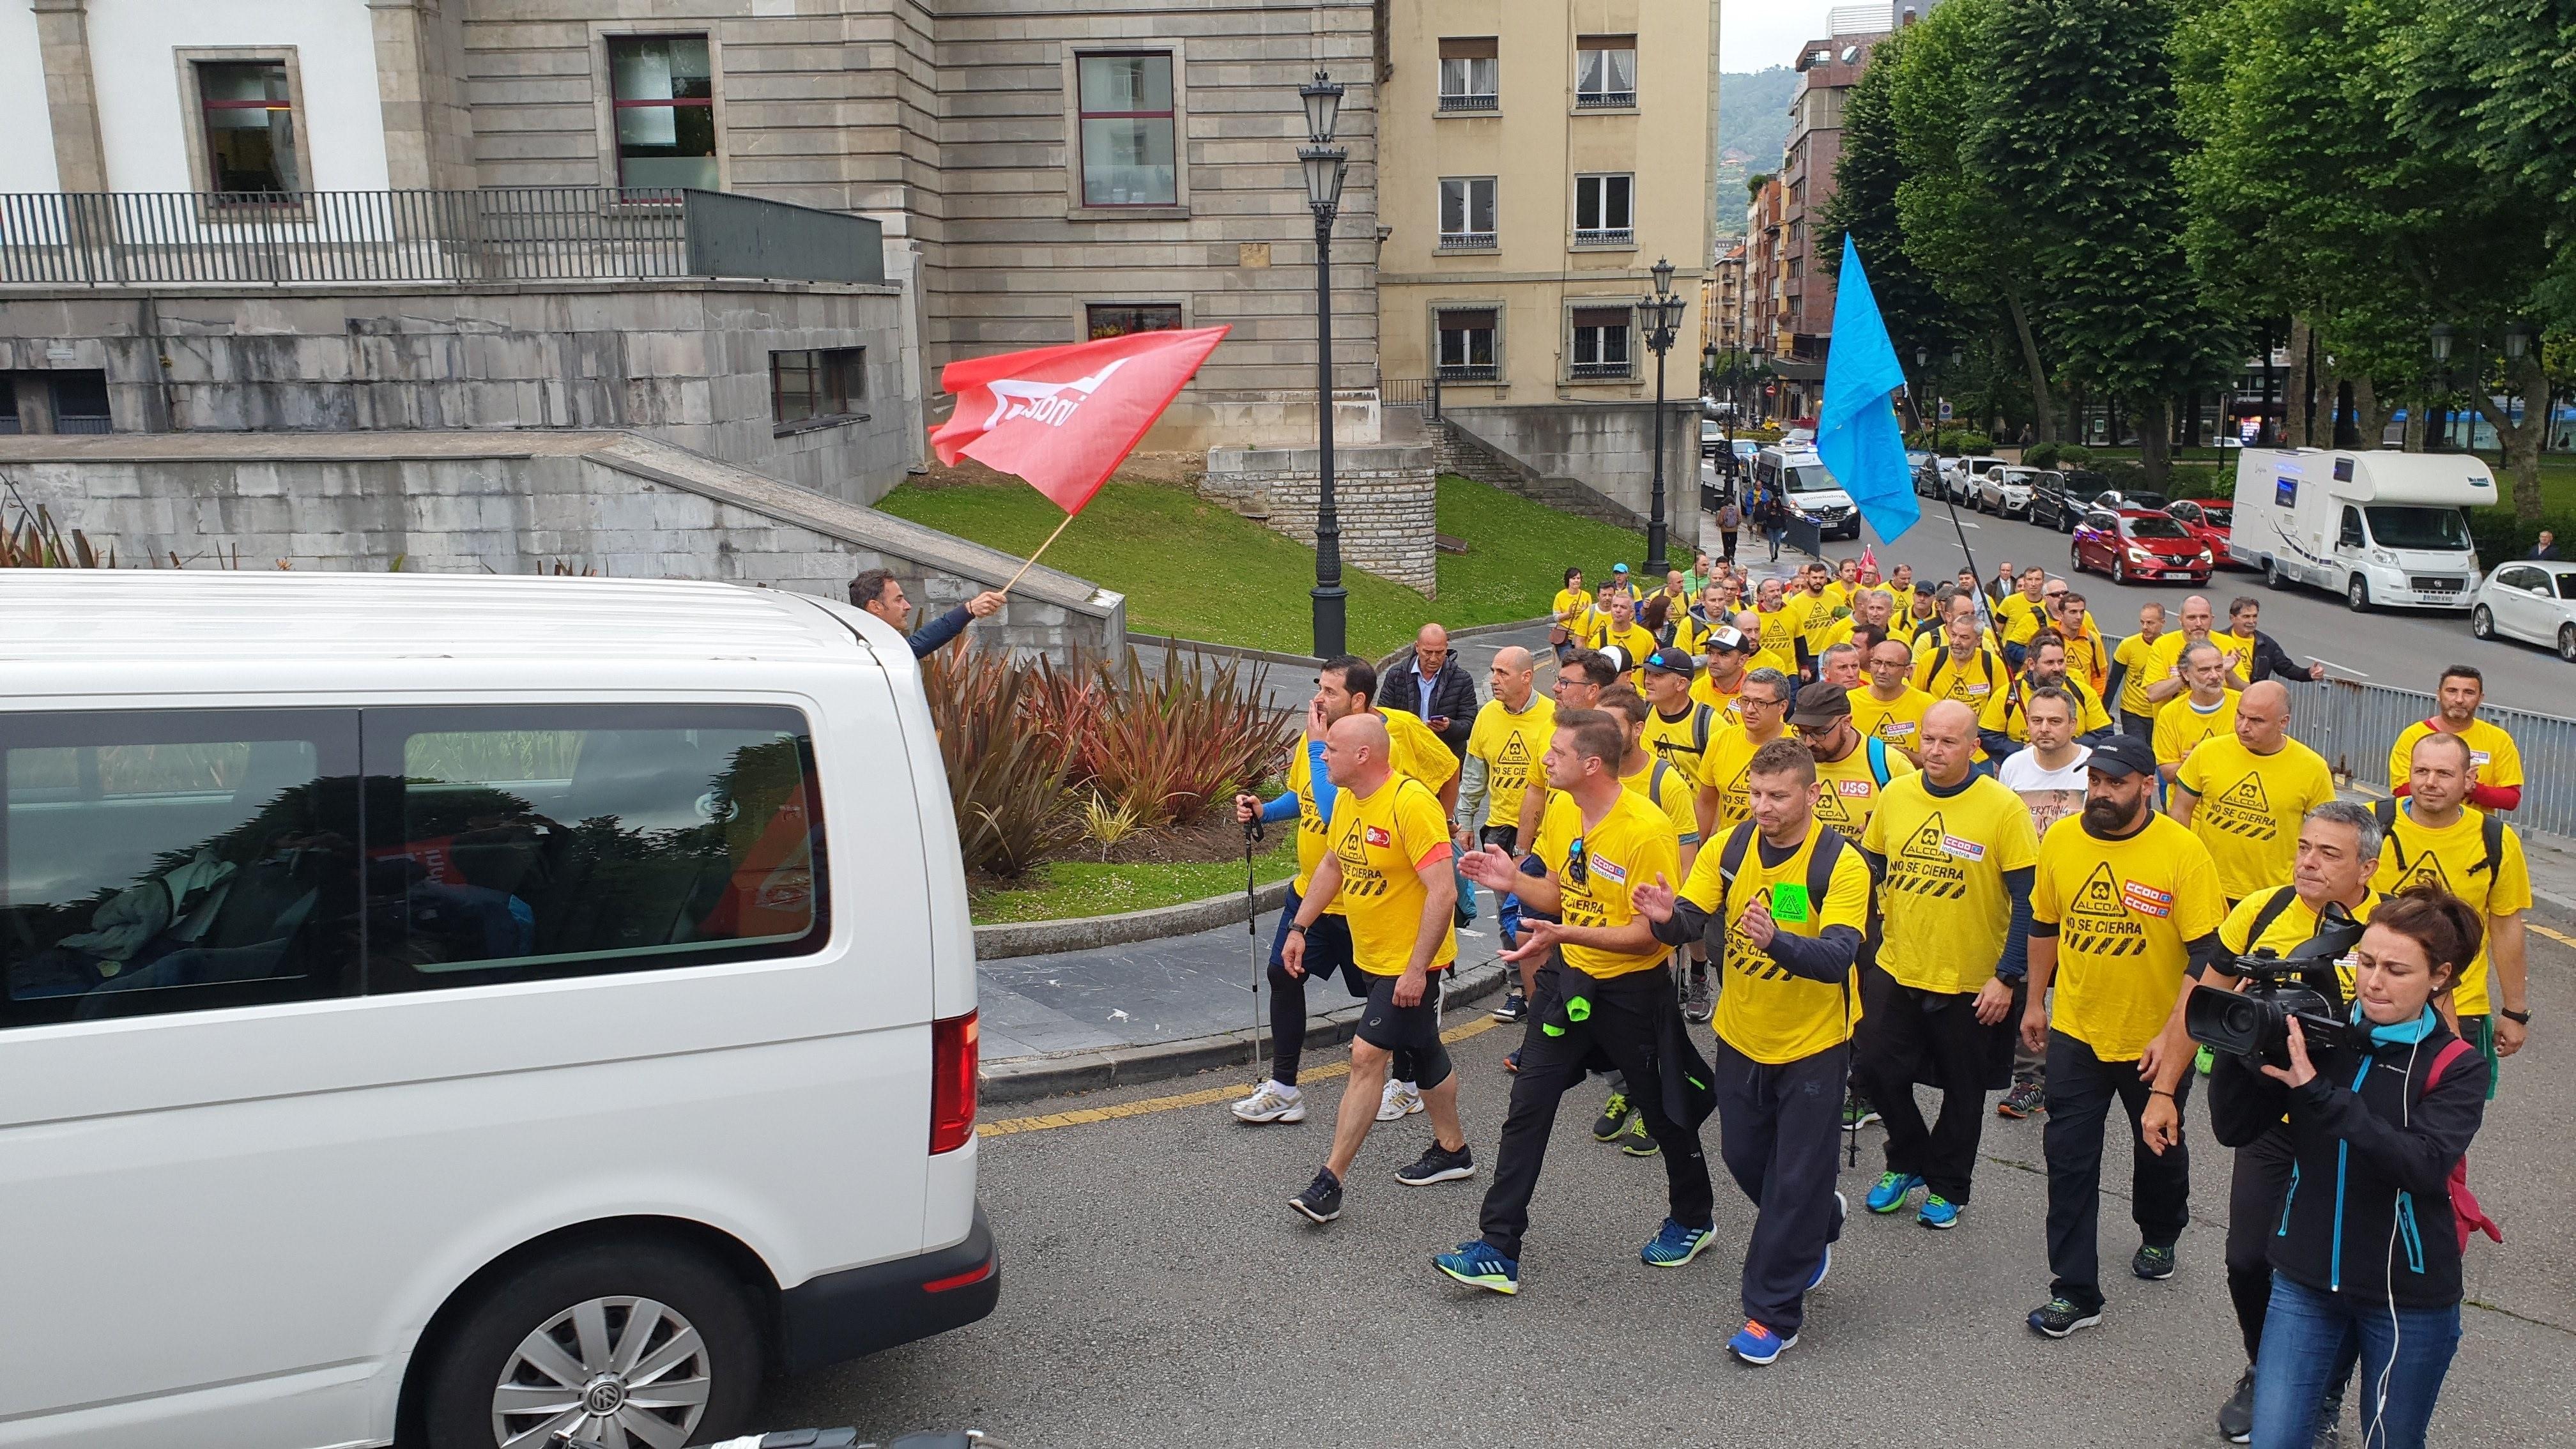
(2405, 1360)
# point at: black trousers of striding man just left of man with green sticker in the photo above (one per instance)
(1624, 1025)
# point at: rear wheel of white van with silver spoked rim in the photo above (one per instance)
(612, 1342)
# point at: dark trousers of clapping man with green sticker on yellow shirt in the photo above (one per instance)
(1779, 1131)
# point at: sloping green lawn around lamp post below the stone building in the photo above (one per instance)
(1207, 574)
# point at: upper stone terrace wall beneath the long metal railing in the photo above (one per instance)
(681, 360)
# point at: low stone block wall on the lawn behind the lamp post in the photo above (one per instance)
(1387, 501)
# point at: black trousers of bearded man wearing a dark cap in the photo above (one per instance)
(2080, 1094)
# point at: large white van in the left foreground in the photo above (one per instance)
(468, 1007)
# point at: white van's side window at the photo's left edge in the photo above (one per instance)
(164, 862)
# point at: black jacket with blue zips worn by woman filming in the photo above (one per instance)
(2374, 1164)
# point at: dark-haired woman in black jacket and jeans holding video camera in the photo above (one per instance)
(2369, 1244)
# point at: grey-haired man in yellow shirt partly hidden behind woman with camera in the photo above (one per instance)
(2338, 852)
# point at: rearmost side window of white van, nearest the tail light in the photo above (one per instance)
(555, 842)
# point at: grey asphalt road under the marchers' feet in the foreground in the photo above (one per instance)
(1158, 1290)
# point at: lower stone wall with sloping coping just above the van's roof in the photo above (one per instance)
(612, 504)
